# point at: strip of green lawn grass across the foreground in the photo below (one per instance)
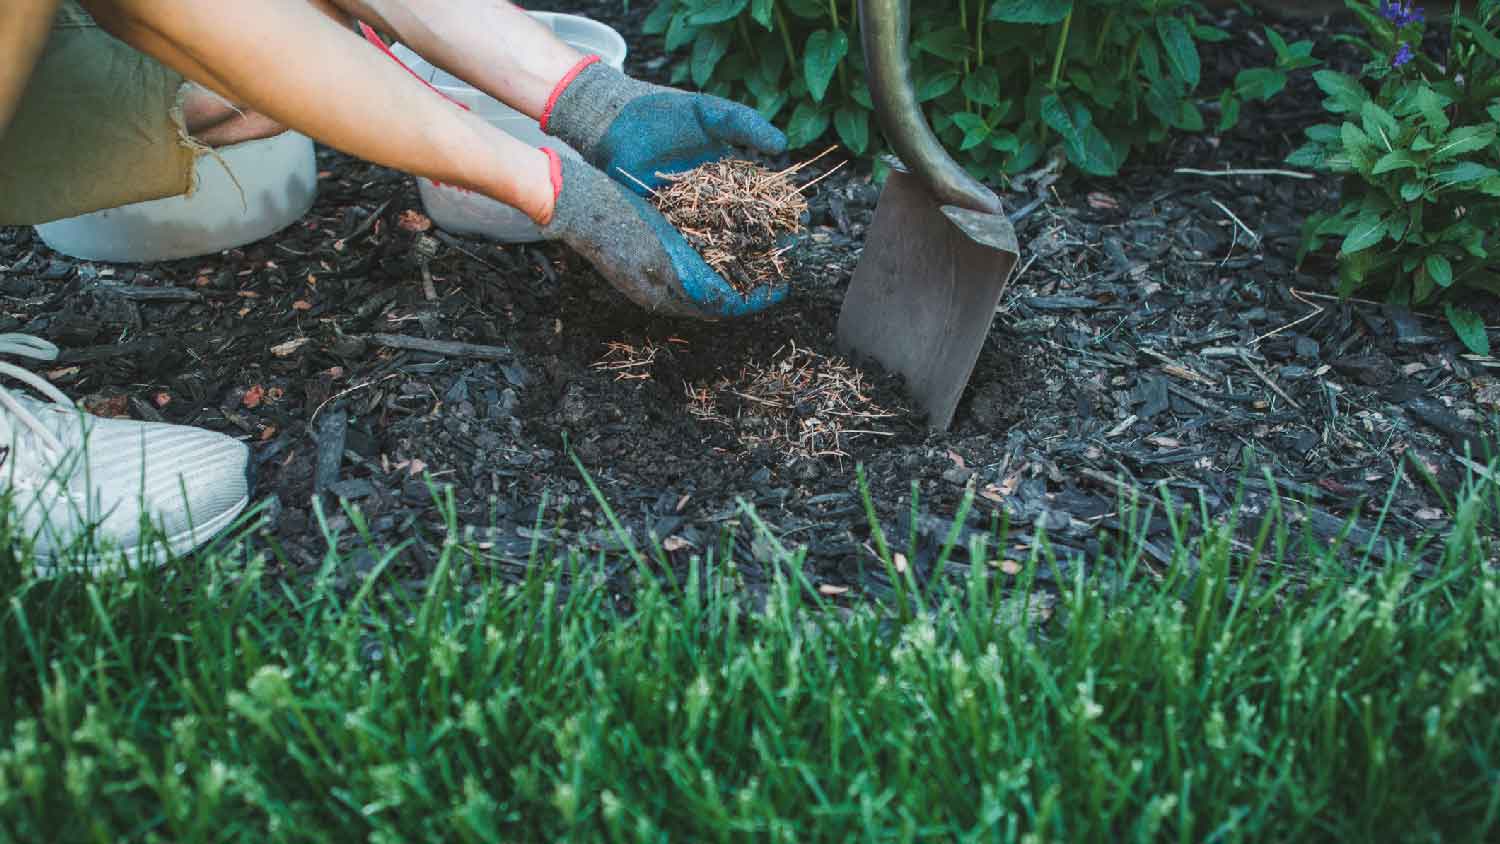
(1247, 696)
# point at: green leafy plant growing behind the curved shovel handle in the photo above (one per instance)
(1004, 82)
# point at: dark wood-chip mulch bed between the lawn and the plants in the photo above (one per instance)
(1147, 341)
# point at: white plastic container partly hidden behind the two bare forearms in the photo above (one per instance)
(464, 212)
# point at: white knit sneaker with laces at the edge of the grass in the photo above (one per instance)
(119, 483)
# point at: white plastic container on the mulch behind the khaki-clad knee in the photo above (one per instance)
(278, 178)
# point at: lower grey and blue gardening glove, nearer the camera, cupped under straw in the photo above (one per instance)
(634, 247)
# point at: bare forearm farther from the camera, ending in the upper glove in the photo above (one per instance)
(490, 44)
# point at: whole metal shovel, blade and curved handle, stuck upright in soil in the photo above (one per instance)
(941, 250)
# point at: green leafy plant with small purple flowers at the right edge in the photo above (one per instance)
(1417, 143)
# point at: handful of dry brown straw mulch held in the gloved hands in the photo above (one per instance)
(734, 214)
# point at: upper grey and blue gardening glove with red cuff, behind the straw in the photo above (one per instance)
(626, 127)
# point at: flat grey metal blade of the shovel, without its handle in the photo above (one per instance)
(925, 292)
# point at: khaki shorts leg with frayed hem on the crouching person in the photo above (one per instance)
(98, 127)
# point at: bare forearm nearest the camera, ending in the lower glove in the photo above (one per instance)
(289, 61)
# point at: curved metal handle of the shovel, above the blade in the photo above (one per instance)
(884, 31)
